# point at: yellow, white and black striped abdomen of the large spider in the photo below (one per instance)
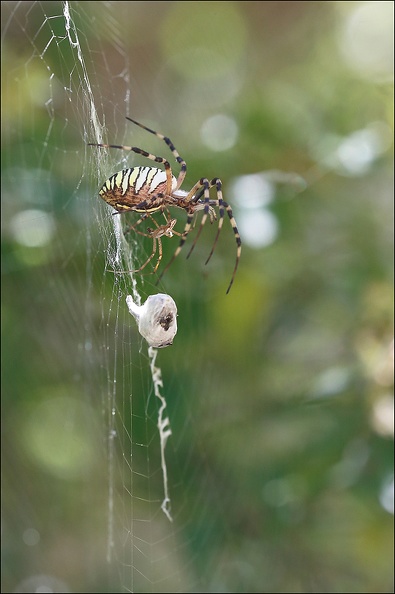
(129, 188)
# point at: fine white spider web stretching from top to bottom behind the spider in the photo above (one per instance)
(81, 94)
